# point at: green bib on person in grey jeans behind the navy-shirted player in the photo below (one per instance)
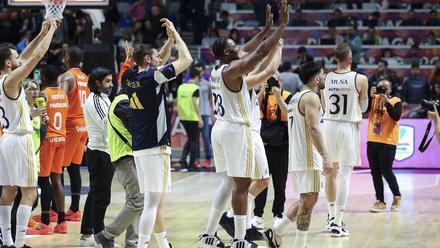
(118, 148)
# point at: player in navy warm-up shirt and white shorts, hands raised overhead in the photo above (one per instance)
(151, 134)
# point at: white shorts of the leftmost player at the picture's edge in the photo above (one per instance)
(18, 163)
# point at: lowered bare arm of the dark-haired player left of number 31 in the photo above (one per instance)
(311, 105)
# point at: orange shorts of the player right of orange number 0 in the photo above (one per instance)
(76, 139)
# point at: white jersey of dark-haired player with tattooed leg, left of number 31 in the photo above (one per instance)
(302, 153)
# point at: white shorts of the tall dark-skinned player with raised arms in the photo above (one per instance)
(233, 149)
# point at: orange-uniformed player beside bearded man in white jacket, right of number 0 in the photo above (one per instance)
(74, 84)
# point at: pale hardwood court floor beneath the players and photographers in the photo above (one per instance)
(417, 224)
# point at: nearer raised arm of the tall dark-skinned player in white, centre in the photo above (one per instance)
(234, 72)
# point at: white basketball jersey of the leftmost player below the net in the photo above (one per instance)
(15, 115)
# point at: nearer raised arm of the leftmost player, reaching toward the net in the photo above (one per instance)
(13, 82)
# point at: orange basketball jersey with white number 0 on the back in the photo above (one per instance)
(57, 106)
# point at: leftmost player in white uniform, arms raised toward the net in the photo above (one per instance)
(17, 155)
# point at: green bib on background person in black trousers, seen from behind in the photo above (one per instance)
(185, 106)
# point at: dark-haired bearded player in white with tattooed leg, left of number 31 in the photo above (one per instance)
(307, 155)
